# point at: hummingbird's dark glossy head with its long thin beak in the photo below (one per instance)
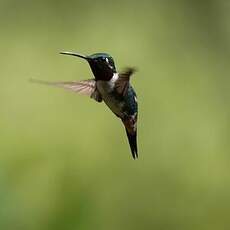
(101, 64)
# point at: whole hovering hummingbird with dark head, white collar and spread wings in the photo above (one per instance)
(110, 86)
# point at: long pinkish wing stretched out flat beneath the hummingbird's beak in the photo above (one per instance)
(85, 87)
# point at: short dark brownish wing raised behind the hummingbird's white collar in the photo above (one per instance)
(122, 83)
